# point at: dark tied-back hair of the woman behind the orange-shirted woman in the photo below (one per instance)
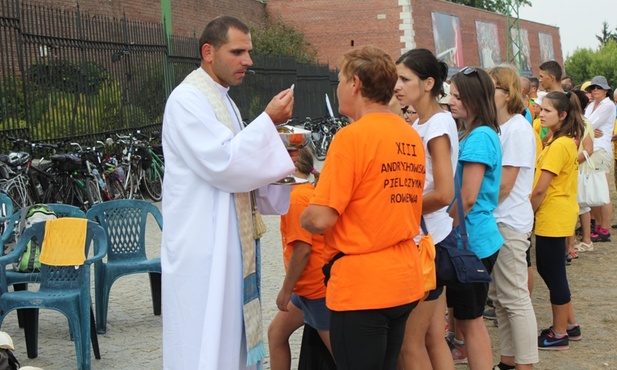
(424, 64)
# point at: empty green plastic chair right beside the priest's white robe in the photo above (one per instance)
(124, 222)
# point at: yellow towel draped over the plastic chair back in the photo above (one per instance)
(64, 242)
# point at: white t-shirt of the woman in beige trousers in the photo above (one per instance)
(518, 147)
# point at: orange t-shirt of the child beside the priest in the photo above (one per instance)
(310, 284)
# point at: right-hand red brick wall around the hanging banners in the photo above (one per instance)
(331, 25)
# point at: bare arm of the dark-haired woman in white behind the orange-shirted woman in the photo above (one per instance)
(443, 192)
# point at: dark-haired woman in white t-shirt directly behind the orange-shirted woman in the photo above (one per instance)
(420, 84)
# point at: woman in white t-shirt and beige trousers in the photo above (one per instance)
(509, 289)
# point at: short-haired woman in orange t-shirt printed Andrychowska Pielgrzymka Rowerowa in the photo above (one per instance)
(368, 204)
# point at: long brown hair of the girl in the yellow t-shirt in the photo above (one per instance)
(573, 125)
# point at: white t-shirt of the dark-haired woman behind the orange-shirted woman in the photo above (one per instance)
(438, 223)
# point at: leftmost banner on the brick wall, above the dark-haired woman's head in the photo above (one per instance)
(448, 40)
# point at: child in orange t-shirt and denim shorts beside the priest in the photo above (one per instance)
(302, 298)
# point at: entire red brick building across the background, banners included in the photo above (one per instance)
(335, 26)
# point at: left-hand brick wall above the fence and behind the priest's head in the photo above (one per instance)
(188, 16)
